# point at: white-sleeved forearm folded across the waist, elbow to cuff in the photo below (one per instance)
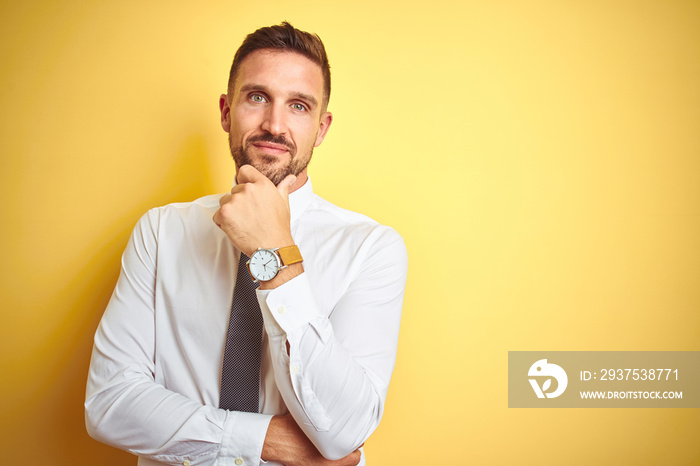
(126, 409)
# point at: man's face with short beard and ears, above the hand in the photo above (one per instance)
(274, 114)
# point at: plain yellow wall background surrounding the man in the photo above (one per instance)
(540, 158)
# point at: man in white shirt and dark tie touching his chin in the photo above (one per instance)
(166, 364)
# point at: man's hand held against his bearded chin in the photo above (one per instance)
(255, 214)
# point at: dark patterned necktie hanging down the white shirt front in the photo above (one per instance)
(240, 373)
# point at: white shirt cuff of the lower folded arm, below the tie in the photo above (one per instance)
(244, 435)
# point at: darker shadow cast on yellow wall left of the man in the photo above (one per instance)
(57, 414)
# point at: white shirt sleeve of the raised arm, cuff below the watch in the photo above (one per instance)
(335, 378)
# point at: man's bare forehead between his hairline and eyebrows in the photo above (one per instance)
(281, 71)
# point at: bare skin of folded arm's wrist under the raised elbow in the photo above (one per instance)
(286, 443)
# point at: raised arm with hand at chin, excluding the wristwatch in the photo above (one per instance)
(332, 368)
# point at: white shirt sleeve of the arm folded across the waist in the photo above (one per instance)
(127, 409)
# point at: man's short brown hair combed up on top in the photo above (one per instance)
(285, 37)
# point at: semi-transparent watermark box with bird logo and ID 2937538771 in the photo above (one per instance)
(603, 379)
